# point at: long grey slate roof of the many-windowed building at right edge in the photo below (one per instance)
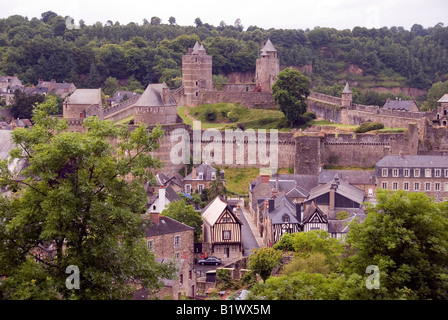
(413, 161)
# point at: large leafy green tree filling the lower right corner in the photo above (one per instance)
(406, 237)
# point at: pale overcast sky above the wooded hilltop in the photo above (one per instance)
(285, 14)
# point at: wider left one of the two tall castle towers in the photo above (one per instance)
(196, 74)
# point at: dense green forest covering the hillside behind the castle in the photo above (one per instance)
(151, 51)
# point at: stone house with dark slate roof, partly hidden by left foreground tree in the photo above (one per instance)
(172, 241)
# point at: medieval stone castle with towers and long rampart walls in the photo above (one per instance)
(306, 152)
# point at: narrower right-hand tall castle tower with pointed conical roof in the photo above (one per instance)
(267, 67)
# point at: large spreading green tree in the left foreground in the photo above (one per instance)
(83, 196)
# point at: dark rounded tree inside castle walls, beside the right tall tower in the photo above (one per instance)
(291, 91)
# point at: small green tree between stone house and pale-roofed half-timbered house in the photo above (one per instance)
(180, 211)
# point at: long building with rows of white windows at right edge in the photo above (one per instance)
(415, 173)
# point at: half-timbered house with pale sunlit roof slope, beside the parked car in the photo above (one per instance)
(221, 230)
